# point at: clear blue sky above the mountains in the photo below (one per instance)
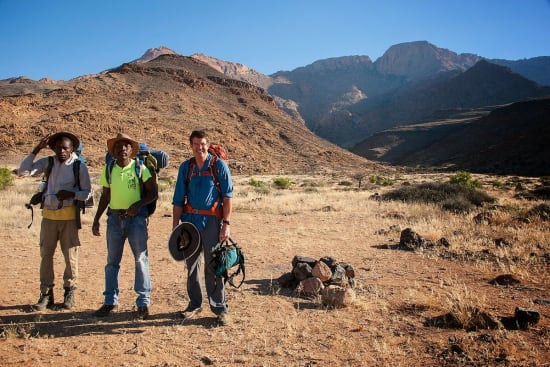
(67, 38)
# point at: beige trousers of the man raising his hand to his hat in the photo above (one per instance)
(66, 233)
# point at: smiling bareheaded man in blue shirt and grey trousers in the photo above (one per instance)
(202, 196)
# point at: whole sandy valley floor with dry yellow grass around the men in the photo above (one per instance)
(397, 291)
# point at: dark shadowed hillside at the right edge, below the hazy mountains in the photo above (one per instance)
(511, 139)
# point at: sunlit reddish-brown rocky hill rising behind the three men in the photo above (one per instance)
(160, 102)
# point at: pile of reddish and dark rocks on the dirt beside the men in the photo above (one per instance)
(326, 277)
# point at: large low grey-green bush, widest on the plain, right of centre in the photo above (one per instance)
(449, 196)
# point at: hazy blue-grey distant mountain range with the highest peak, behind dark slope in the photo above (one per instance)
(346, 100)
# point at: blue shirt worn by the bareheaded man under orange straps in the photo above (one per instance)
(201, 191)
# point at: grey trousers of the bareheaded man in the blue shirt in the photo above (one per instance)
(215, 289)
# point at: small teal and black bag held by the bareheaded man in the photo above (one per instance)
(225, 256)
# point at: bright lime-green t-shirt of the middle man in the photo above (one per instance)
(124, 184)
